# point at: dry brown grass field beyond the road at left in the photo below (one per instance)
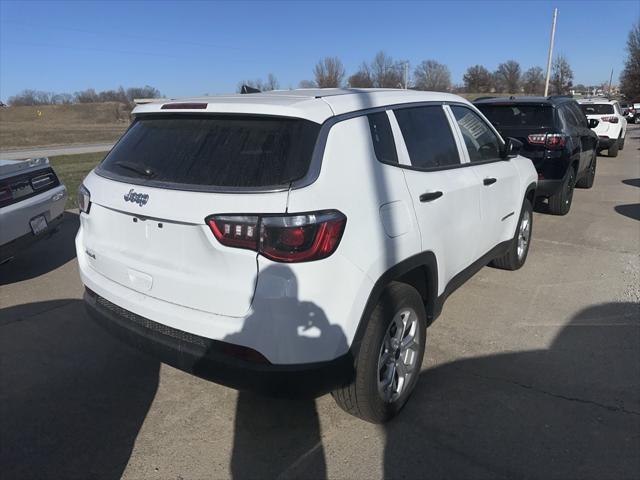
(62, 124)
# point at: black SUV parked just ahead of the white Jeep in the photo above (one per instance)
(556, 136)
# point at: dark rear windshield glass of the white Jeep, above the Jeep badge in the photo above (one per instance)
(218, 151)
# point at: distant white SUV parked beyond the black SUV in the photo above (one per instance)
(612, 126)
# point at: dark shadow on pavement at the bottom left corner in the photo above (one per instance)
(72, 399)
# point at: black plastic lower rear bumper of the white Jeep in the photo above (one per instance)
(220, 362)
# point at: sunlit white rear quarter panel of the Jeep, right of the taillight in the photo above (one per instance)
(381, 228)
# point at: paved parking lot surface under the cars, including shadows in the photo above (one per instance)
(534, 373)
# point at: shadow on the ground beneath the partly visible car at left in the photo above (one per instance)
(44, 256)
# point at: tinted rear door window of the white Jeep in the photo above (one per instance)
(428, 137)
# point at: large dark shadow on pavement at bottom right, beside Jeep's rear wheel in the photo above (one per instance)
(569, 411)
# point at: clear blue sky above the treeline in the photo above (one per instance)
(191, 48)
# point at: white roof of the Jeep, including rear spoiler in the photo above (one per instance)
(315, 104)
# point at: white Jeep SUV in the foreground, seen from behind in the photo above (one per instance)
(299, 240)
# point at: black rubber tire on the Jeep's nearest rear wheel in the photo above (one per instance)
(361, 397)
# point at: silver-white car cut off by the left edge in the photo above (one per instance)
(32, 203)
